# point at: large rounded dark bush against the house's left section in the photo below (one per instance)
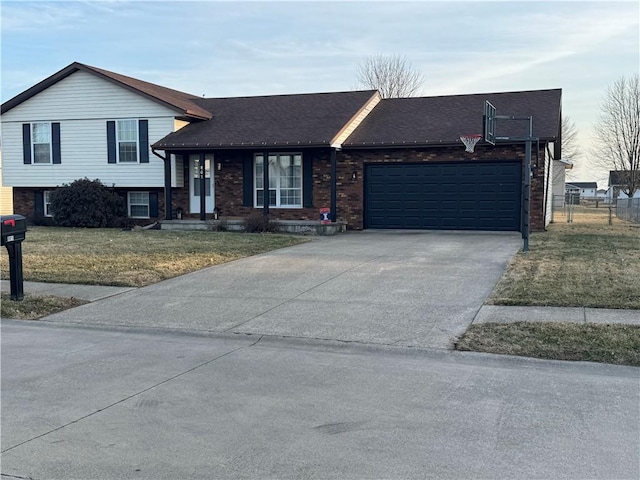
(87, 203)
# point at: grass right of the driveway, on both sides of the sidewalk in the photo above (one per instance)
(585, 263)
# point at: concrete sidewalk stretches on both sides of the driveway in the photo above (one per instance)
(486, 314)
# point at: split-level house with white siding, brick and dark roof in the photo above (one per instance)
(372, 162)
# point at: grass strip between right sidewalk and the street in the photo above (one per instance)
(606, 343)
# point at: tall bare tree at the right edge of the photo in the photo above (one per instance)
(617, 132)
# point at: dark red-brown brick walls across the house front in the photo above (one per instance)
(228, 188)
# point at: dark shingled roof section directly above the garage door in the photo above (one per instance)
(441, 120)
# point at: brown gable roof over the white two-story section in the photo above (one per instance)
(182, 102)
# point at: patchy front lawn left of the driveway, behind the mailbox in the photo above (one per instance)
(132, 258)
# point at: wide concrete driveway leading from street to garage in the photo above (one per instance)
(381, 287)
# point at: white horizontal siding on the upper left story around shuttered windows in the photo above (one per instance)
(83, 104)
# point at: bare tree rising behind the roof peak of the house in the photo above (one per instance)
(391, 75)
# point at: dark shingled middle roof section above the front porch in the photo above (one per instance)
(281, 120)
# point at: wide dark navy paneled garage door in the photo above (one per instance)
(443, 196)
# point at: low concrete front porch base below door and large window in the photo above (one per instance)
(236, 224)
